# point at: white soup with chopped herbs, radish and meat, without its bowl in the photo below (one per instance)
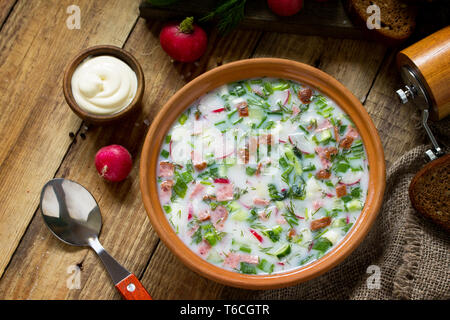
(262, 176)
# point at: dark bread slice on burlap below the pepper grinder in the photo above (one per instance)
(429, 191)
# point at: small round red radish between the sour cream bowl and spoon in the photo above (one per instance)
(113, 163)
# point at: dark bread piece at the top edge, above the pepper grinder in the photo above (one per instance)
(397, 19)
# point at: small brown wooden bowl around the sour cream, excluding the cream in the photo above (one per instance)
(99, 51)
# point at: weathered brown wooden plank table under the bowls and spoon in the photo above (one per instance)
(36, 145)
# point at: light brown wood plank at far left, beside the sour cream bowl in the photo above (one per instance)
(35, 46)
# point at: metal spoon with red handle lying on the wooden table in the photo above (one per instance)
(72, 214)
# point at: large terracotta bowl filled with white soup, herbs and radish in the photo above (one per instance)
(262, 173)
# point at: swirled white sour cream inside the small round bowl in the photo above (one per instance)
(103, 85)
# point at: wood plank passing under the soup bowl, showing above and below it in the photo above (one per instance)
(354, 63)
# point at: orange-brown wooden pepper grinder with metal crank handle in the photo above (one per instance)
(425, 70)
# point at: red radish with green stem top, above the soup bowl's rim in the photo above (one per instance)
(184, 42)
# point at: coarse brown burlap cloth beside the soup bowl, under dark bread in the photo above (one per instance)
(412, 253)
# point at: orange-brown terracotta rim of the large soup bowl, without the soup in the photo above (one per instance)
(260, 67)
